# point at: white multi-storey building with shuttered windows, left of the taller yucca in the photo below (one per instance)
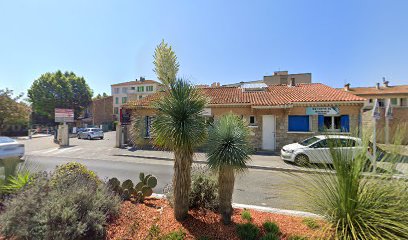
(133, 90)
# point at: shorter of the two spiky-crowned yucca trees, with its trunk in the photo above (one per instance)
(228, 152)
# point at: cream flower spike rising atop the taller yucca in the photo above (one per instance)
(166, 64)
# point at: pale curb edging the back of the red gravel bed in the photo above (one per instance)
(263, 209)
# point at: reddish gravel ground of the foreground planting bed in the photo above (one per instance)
(136, 220)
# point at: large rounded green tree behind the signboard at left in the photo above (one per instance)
(59, 90)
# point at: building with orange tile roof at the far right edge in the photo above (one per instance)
(396, 95)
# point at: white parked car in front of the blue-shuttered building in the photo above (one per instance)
(317, 149)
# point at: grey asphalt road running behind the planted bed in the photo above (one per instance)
(258, 187)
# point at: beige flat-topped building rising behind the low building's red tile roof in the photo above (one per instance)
(278, 77)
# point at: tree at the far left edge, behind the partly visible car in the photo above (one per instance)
(12, 111)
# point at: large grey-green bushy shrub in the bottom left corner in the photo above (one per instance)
(70, 206)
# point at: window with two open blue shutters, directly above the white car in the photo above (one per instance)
(334, 123)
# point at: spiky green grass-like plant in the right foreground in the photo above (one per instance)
(358, 204)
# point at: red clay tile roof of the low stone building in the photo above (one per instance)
(274, 95)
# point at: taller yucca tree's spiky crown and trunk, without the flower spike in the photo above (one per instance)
(180, 127)
